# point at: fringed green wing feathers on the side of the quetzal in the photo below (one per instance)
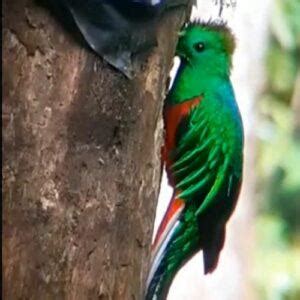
(201, 161)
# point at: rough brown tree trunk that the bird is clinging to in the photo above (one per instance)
(81, 167)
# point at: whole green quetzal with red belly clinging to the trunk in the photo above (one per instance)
(203, 153)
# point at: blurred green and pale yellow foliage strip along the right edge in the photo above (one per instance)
(277, 259)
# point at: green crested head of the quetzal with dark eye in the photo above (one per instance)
(207, 46)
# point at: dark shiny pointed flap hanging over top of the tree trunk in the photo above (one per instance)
(117, 30)
